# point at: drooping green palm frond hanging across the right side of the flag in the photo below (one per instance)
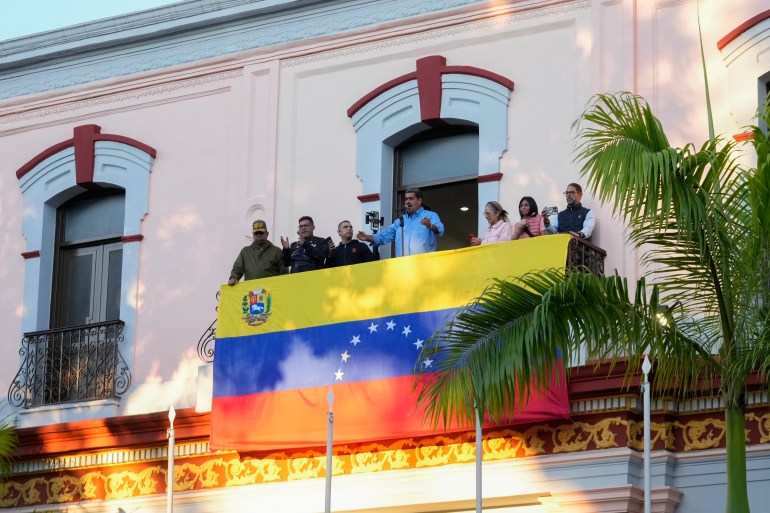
(506, 345)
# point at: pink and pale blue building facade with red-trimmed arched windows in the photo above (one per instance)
(137, 151)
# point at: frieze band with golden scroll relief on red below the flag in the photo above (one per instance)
(122, 474)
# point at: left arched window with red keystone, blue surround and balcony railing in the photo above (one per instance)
(84, 200)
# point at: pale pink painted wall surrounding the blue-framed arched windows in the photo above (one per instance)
(265, 135)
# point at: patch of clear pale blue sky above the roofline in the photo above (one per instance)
(25, 17)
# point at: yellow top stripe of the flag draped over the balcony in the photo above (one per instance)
(420, 283)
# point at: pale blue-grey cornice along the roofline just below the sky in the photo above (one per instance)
(192, 40)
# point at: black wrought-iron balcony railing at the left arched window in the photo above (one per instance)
(71, 364)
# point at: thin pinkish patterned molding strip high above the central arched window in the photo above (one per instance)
(494, 20)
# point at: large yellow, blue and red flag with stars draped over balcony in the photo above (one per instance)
(282, 341)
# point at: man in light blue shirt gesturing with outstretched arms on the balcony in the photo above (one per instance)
(417, 231)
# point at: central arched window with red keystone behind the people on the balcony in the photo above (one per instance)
(452, 114)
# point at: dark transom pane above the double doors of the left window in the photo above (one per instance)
(94, 217)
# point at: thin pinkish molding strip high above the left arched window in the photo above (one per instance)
(135, 94)
